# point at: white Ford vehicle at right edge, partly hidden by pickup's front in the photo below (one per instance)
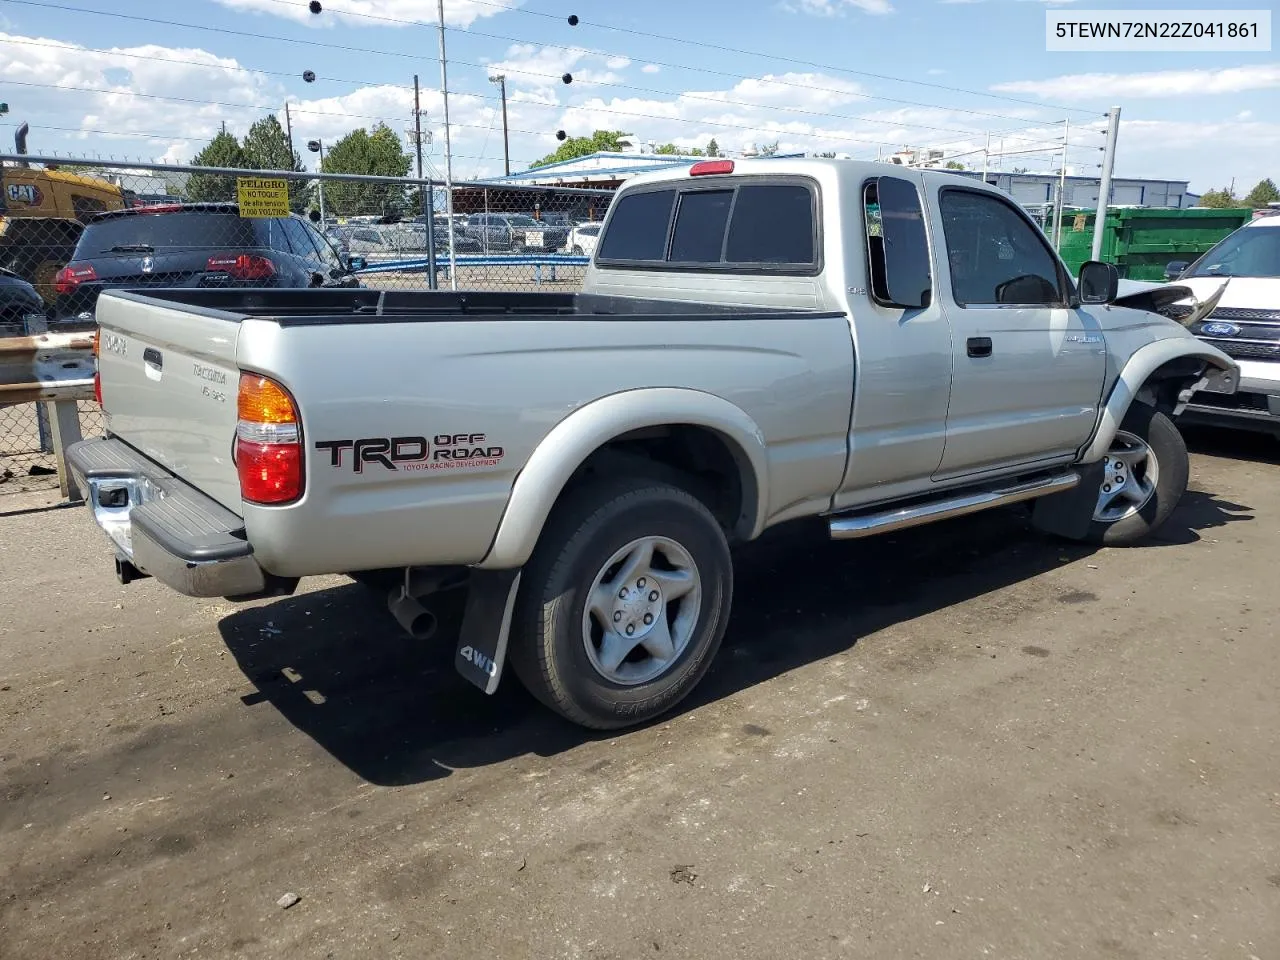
(1246, 326)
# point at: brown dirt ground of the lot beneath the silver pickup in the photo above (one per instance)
(962, 742)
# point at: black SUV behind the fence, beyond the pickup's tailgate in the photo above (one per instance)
(195, 245)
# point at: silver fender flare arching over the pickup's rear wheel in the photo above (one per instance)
(575, 438)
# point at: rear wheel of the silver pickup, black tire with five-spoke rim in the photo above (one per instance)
(561, 651)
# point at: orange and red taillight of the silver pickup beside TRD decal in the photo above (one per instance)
(268, 442)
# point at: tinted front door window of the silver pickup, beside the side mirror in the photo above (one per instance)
(998, 258)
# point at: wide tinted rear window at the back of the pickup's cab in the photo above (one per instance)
(747, 225)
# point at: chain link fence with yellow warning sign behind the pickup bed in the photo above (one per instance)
(74, 228)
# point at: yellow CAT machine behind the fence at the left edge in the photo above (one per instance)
(43, 213)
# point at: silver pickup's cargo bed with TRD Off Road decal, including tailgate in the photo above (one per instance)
(392, 368)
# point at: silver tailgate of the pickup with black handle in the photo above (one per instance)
(170, 388)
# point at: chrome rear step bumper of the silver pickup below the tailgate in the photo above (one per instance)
(163, 527)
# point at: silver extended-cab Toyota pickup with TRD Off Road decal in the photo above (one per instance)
(757, 341)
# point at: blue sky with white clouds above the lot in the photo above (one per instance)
(140, 80)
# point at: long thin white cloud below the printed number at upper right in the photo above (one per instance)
(1162, 84)
